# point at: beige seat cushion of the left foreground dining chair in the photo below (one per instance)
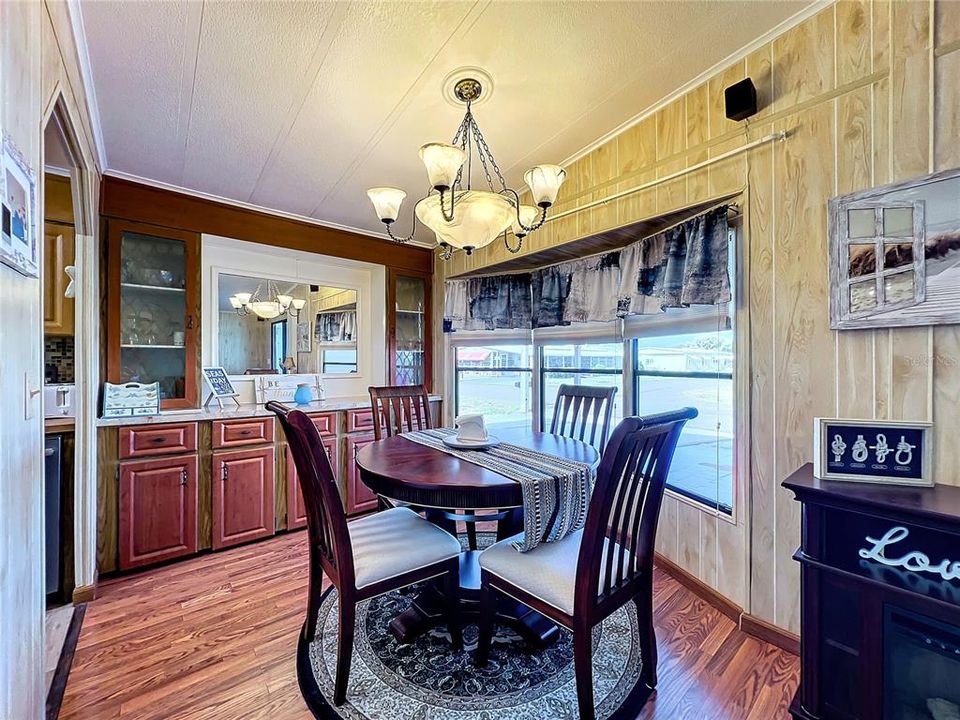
(394, 542)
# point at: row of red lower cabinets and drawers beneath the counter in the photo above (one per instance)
(174, 489)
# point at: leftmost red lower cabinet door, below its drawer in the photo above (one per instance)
(158, 510)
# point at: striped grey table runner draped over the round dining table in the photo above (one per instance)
(556, 491)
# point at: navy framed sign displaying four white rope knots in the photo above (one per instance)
(874, 451)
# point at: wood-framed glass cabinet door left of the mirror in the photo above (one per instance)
(152, 313)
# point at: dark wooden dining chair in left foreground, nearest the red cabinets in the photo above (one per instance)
(367, 557)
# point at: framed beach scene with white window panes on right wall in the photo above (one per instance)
(895, 254)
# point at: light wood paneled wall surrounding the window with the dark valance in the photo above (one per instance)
(869, 93)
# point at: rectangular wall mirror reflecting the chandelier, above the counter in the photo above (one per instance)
(269, 326)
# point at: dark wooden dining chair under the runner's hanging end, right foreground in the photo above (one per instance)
(583, 578)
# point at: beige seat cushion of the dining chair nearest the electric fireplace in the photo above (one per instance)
(548, 572)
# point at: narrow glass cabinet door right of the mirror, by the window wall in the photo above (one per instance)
(411, 334)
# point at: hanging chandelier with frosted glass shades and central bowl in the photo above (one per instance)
(461, 217)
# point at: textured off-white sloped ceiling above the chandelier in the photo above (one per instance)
(301, 106)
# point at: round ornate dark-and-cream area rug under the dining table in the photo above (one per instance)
(426, 680)
